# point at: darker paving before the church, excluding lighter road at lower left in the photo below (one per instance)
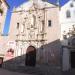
(39, 70)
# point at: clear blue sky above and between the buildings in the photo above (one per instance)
(15, 3)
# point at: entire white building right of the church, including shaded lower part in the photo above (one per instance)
(67, 22)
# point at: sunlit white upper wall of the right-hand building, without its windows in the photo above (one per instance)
(65, 22)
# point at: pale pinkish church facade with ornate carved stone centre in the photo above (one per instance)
(35, 27)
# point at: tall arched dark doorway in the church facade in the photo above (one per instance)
(30, 56)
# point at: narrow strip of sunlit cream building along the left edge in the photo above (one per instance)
(3, 11)
